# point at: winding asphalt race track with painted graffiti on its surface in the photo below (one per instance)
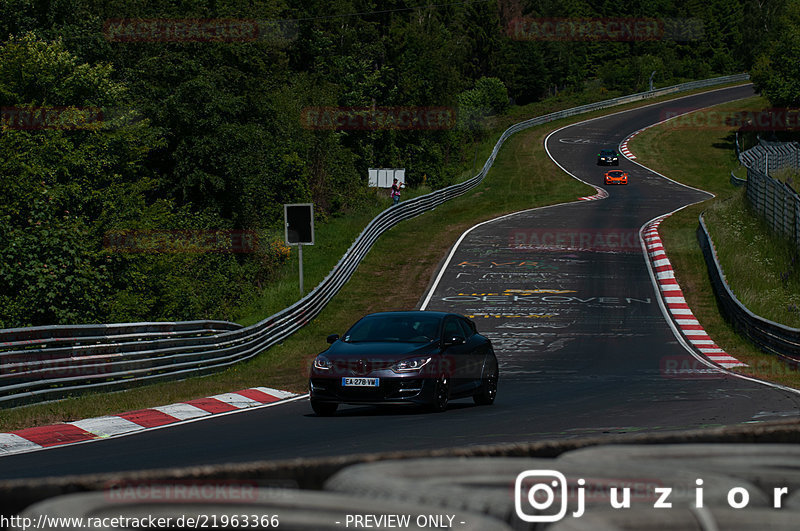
(565, 295)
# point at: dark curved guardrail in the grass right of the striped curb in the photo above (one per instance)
(770, 336)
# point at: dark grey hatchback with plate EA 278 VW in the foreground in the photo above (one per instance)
(422, 358)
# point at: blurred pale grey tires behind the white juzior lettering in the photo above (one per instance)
(496, 486)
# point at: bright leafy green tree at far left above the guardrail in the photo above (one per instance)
(58, 180)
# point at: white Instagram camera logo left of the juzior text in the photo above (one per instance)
(538, 490)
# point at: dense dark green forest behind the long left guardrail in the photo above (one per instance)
(193, 117)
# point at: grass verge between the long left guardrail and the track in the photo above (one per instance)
(522, 177)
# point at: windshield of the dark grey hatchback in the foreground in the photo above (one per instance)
(397, 328)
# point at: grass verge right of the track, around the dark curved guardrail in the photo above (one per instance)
(752, 258)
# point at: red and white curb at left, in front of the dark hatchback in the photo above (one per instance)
(31, 439)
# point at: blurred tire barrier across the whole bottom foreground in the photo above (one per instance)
(757, 457)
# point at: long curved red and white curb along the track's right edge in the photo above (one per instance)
(675, 302)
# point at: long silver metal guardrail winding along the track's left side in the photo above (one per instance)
(46, 363)
